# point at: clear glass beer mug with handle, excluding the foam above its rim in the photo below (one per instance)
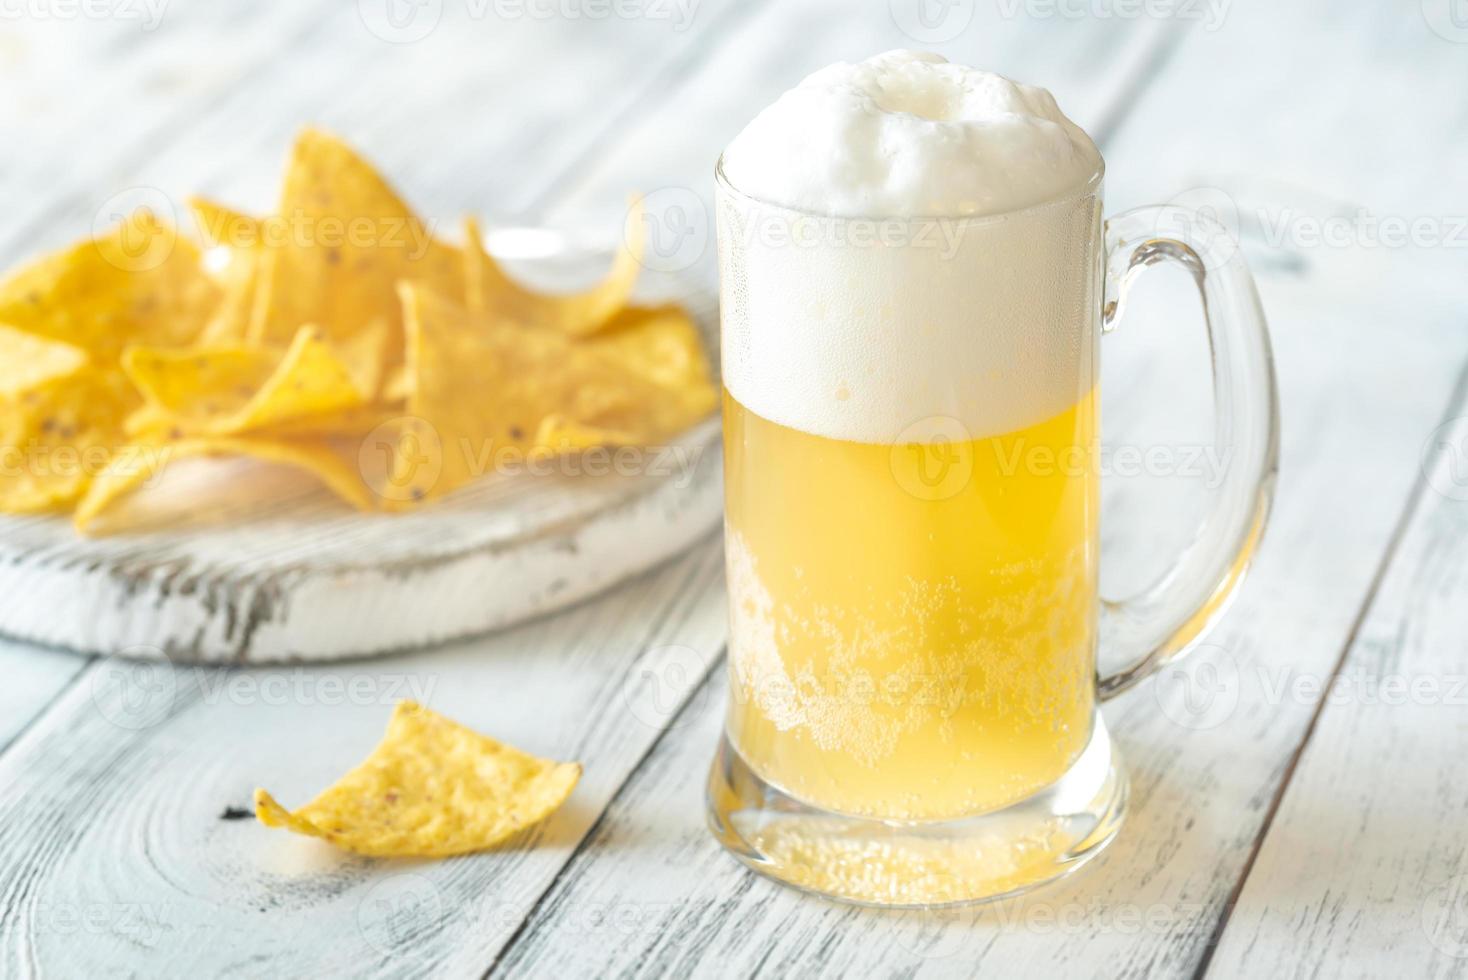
(911, 532)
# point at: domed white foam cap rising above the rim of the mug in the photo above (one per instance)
(911, 134)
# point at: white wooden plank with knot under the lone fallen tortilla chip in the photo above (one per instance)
(115, 852)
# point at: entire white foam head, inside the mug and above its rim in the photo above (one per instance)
(909, 249)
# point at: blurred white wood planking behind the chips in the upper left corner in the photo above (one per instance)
(468, 120)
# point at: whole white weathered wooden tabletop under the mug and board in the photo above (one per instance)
(1298, 794)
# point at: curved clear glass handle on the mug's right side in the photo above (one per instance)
(1162, 623)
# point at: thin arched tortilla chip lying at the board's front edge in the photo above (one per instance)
(331, 466)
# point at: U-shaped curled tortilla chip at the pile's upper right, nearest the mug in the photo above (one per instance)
(490, 290)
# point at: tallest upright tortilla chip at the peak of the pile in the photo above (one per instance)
(349, 240)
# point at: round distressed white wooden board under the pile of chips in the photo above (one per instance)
(247, 564)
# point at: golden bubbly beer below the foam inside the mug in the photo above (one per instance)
(912, 626)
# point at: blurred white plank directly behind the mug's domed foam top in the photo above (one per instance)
(670, 147)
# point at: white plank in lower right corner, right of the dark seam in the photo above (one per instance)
(1365, 872)
